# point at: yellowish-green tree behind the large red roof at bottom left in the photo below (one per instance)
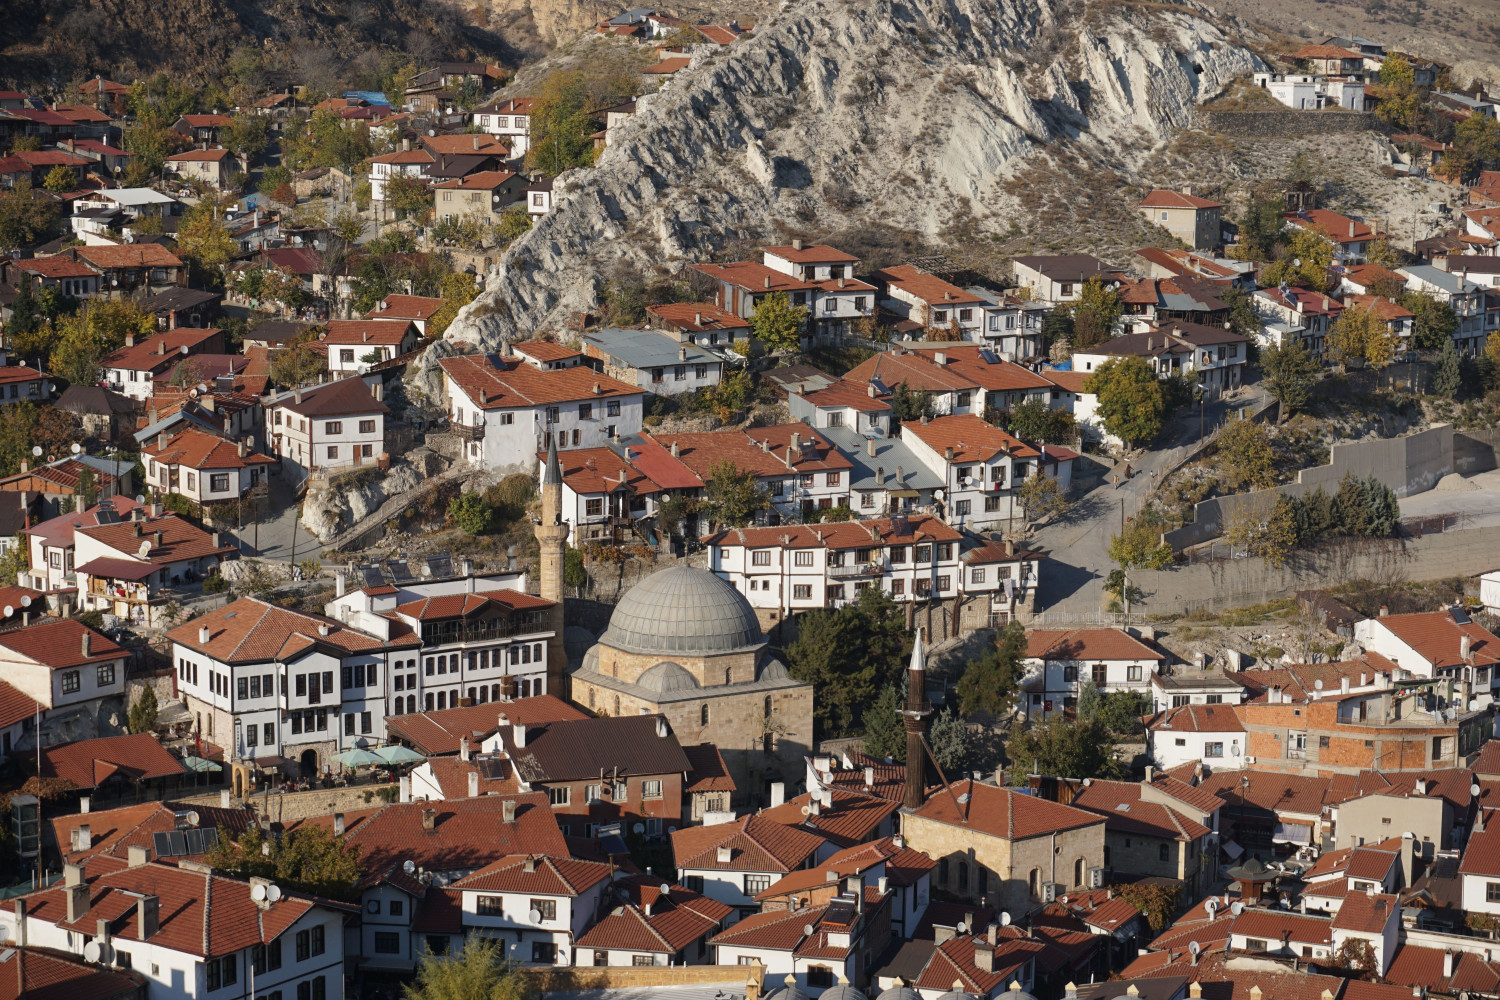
(308, 860)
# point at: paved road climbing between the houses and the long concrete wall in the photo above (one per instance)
(1078, 548)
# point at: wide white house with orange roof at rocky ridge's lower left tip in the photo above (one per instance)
(506, 410)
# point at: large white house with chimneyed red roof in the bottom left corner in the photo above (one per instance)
(188, 932)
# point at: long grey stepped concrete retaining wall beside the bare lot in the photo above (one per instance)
(1408, 466)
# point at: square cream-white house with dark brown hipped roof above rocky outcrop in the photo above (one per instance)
(328, 427)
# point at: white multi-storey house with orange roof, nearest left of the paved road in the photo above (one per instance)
(983, 467)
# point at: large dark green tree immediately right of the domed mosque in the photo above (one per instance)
(851, 656)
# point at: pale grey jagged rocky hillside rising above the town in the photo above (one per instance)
(914, 115)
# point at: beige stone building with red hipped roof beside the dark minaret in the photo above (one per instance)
(1000, 845)
